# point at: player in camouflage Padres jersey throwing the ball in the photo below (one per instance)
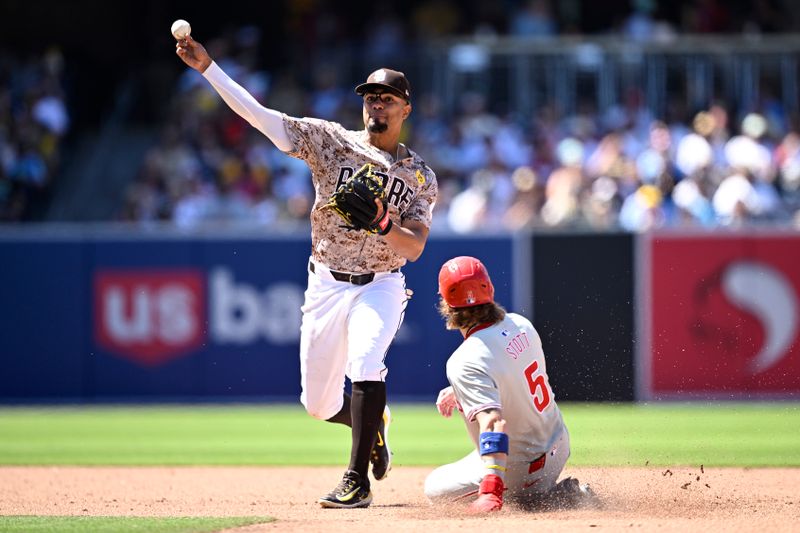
(372, 212)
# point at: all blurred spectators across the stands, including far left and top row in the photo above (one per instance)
(619, 167)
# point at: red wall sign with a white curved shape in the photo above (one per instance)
(722, 317)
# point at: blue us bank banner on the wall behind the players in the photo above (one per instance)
(191, 319)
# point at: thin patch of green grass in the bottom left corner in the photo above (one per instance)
(122, 524)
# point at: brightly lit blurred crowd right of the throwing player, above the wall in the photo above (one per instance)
(622, 168)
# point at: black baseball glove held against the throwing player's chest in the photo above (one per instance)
(354, 201)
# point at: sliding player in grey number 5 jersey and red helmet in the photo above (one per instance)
(499, 383)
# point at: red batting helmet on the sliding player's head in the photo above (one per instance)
(464, 282)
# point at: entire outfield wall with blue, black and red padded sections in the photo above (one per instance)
(132, 315)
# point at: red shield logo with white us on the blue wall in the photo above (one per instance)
(149, 316)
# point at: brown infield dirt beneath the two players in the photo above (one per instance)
(644, 498)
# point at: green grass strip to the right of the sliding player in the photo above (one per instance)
(757, 434)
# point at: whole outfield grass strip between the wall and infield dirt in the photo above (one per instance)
(758, 434)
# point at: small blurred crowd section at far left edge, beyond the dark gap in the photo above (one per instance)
(33, 122)
